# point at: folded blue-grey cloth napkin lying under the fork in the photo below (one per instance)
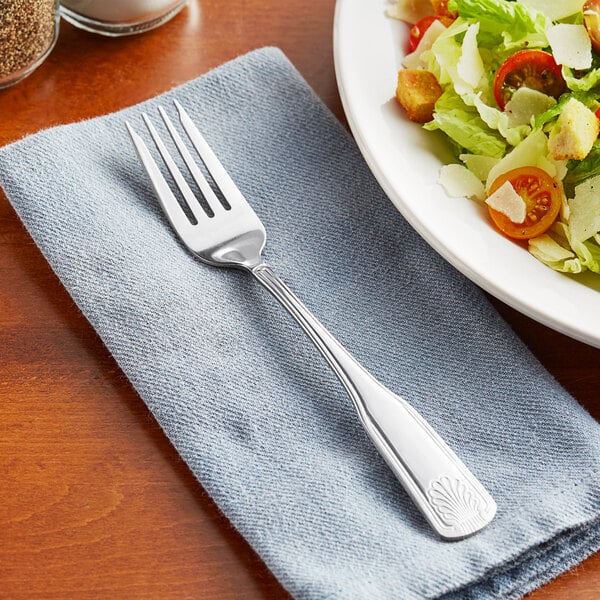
(246, 400)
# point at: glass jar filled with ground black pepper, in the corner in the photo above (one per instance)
(28, 31)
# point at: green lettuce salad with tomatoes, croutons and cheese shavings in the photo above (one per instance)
(515, 87)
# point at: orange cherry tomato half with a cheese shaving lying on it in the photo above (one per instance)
(542, 195)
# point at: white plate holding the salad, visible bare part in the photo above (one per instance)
(406, 160)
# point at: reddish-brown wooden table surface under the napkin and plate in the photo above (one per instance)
(94, 502)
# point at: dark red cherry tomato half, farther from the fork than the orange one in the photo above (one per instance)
(530, 68)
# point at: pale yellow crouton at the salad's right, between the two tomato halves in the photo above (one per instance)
(574, 132)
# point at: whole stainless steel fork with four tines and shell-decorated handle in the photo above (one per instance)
(448, 494)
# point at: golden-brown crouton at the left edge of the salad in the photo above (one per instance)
(417, 92)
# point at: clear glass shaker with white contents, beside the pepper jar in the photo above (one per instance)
(119, 17)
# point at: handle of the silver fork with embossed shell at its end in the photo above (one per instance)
(450, 497)
